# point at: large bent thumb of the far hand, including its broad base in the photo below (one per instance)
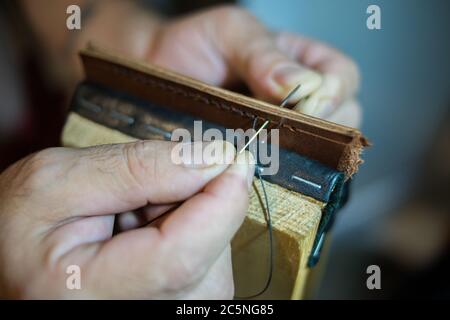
(228, 44)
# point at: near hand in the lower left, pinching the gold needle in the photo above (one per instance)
(58, 207)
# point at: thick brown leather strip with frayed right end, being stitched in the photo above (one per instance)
(331, 144)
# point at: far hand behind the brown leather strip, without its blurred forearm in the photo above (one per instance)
(226, 45)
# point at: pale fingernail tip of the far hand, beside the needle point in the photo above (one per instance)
(286, 77)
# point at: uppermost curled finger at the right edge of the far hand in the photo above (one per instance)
(343, 75)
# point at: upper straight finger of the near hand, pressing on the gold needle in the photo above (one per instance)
(118, 178)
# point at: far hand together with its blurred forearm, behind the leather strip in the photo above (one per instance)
(222, 46)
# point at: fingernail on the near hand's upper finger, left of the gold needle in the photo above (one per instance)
(201, 154)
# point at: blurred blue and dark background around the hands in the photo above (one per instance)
(399, 214)
